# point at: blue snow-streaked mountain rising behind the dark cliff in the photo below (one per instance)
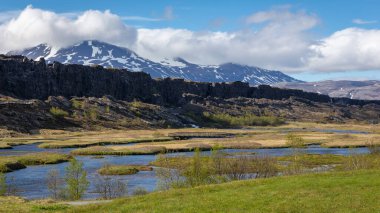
(107, 55)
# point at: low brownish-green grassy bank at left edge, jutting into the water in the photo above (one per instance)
(12, 163)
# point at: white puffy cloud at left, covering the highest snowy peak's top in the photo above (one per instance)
(34, 26)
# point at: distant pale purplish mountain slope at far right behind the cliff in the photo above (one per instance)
(365, 90)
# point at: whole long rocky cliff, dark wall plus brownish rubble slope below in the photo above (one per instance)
(95, 97)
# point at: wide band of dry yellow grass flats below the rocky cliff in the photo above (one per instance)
(258, 136)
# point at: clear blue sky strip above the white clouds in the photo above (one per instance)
(199, 15)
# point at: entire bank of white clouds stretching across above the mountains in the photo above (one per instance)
(276, 39)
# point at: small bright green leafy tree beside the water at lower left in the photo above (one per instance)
(76, 180)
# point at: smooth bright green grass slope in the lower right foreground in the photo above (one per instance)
(357, 191)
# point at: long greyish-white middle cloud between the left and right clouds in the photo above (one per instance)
(280, 44)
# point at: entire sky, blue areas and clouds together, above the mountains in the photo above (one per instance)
(311, 39)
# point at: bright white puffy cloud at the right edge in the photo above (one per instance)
(348, 49)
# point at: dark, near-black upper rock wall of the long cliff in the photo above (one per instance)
(28, 79)
